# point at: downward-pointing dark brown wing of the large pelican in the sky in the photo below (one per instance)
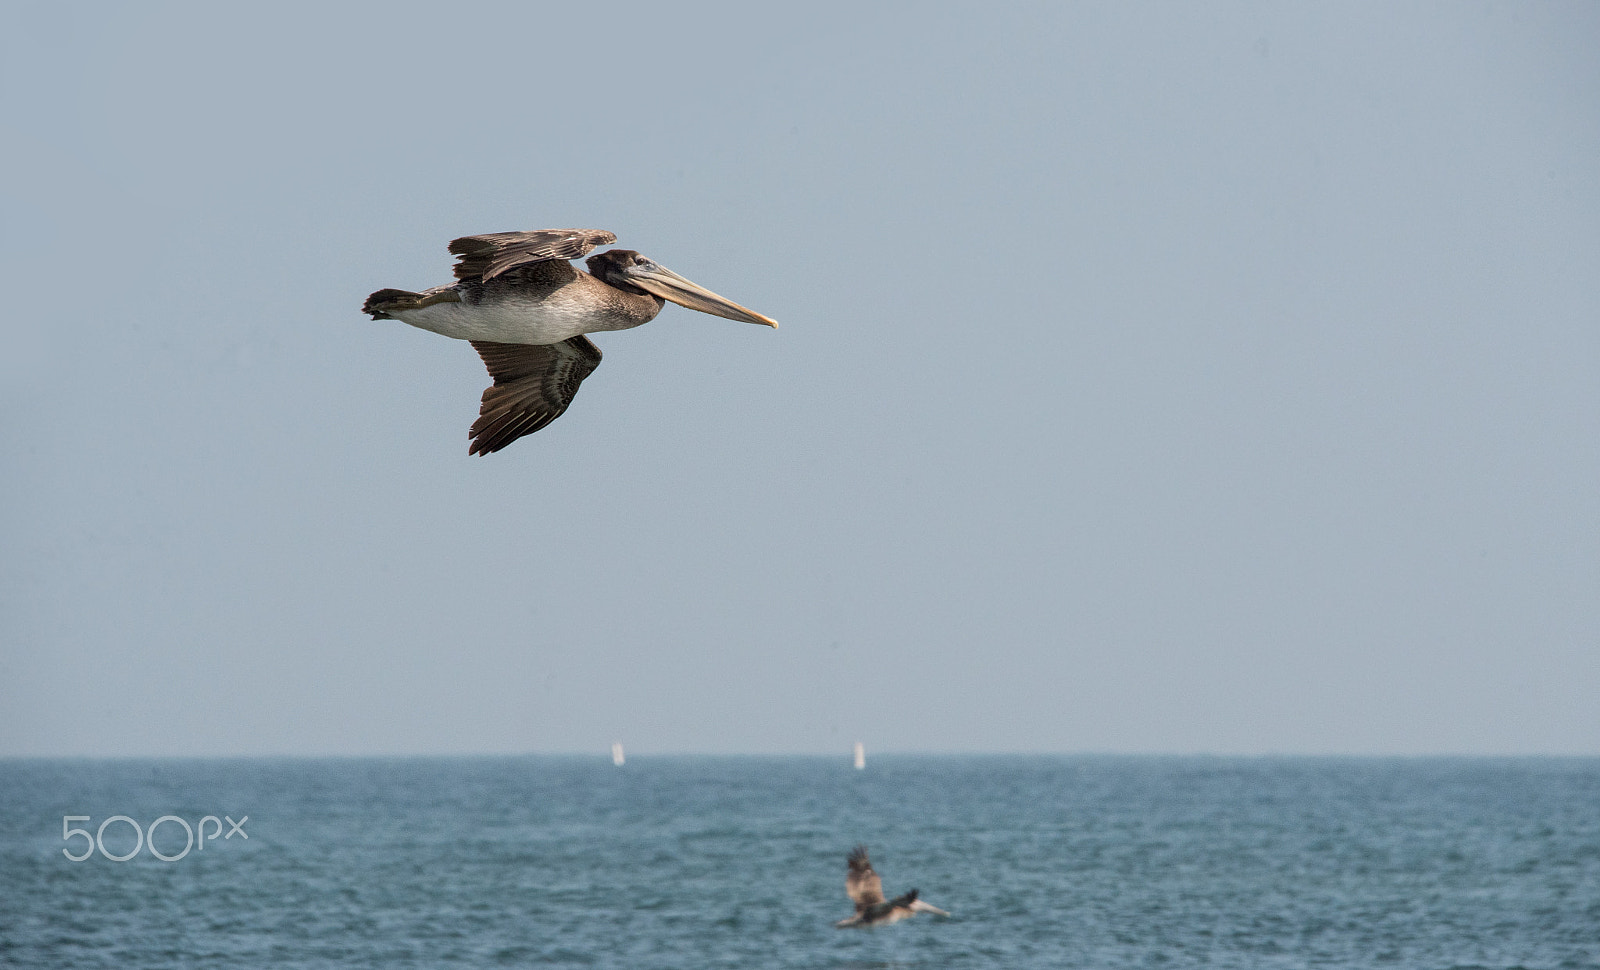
(534, 385)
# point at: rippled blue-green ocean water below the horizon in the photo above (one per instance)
(740, 862)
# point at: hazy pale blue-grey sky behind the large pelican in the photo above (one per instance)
(1172, 379)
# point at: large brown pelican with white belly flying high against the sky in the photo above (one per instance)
(527, 310)
